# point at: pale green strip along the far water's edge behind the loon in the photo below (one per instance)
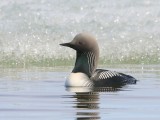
(54, 62)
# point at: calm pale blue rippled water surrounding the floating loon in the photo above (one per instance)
(39, 94)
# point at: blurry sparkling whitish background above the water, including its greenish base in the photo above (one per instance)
(30, 31)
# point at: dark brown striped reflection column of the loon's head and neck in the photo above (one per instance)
(87, 106)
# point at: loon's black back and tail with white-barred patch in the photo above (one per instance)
(106, 78)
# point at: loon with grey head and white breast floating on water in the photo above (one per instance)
(84, 73)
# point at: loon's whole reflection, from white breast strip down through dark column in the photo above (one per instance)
(87, 101)
